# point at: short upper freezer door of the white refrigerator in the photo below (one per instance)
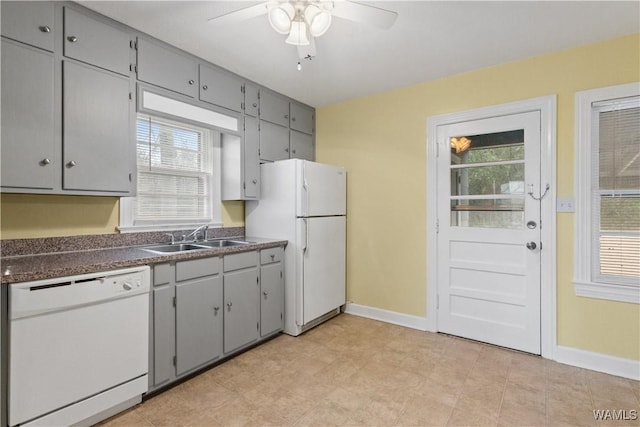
(323, 190)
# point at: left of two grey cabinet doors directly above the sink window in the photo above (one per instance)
(167, 68)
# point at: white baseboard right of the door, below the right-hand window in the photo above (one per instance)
(617, 366)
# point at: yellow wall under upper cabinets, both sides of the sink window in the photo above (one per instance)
(25, 216)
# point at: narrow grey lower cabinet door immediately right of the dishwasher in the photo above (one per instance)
(163, 335)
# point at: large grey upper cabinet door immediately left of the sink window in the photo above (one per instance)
(98, 148)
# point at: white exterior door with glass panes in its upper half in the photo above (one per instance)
(489, 230)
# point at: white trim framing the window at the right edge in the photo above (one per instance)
(583, 283)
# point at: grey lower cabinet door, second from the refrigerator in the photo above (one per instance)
(240, 308)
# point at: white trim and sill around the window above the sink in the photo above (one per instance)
(127, 203)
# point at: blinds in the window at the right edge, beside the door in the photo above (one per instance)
(616, 192)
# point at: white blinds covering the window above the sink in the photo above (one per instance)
(175, 165)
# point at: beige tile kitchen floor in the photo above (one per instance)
(353, 371)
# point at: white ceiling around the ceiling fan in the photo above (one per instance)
(430, 40)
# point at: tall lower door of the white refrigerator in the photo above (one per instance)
(323, 265)
